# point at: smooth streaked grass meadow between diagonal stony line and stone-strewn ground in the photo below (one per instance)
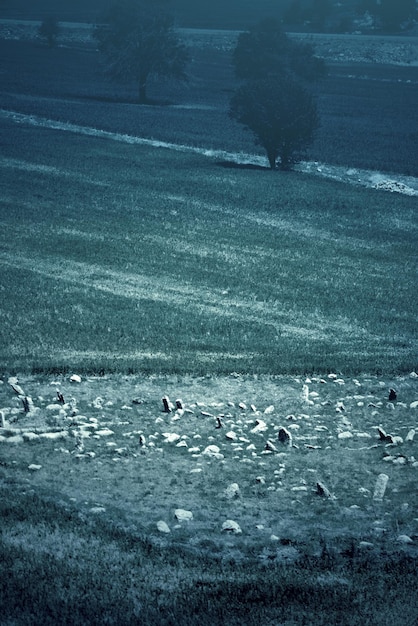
(129, 258)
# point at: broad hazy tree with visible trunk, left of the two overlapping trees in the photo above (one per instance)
(138, 40)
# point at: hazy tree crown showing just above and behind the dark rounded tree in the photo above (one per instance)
(265, 50)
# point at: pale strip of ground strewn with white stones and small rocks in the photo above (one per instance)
(273, 464)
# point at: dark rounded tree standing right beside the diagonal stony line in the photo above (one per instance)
(281, 114)
